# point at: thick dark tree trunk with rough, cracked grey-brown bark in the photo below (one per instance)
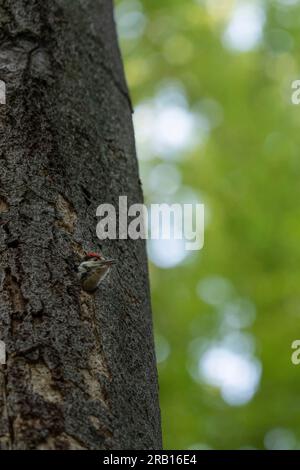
(80, 370)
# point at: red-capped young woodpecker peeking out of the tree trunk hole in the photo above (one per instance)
(93, 269)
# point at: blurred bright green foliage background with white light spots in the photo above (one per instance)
(211, 87)
